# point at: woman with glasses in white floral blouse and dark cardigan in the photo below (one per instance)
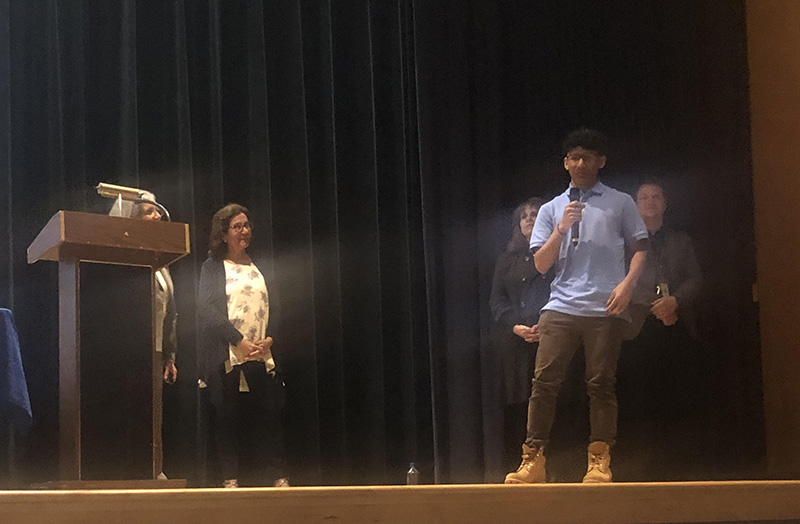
(236, 361)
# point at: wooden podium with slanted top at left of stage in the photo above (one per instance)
(109, 375)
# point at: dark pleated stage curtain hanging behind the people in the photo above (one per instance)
(380, 147)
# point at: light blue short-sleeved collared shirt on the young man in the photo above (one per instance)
(588, 272)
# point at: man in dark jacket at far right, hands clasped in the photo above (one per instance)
(661, 368)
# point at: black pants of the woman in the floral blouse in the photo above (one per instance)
(249, 426)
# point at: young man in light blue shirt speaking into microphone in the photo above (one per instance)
(588, 301)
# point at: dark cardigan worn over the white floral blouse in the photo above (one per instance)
(216, 333)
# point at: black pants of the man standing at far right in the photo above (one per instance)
(662, 405)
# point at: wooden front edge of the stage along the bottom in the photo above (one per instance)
(737, 501)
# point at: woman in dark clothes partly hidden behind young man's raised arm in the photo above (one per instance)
(518, 294)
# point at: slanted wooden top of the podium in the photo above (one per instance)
(71, 235)
